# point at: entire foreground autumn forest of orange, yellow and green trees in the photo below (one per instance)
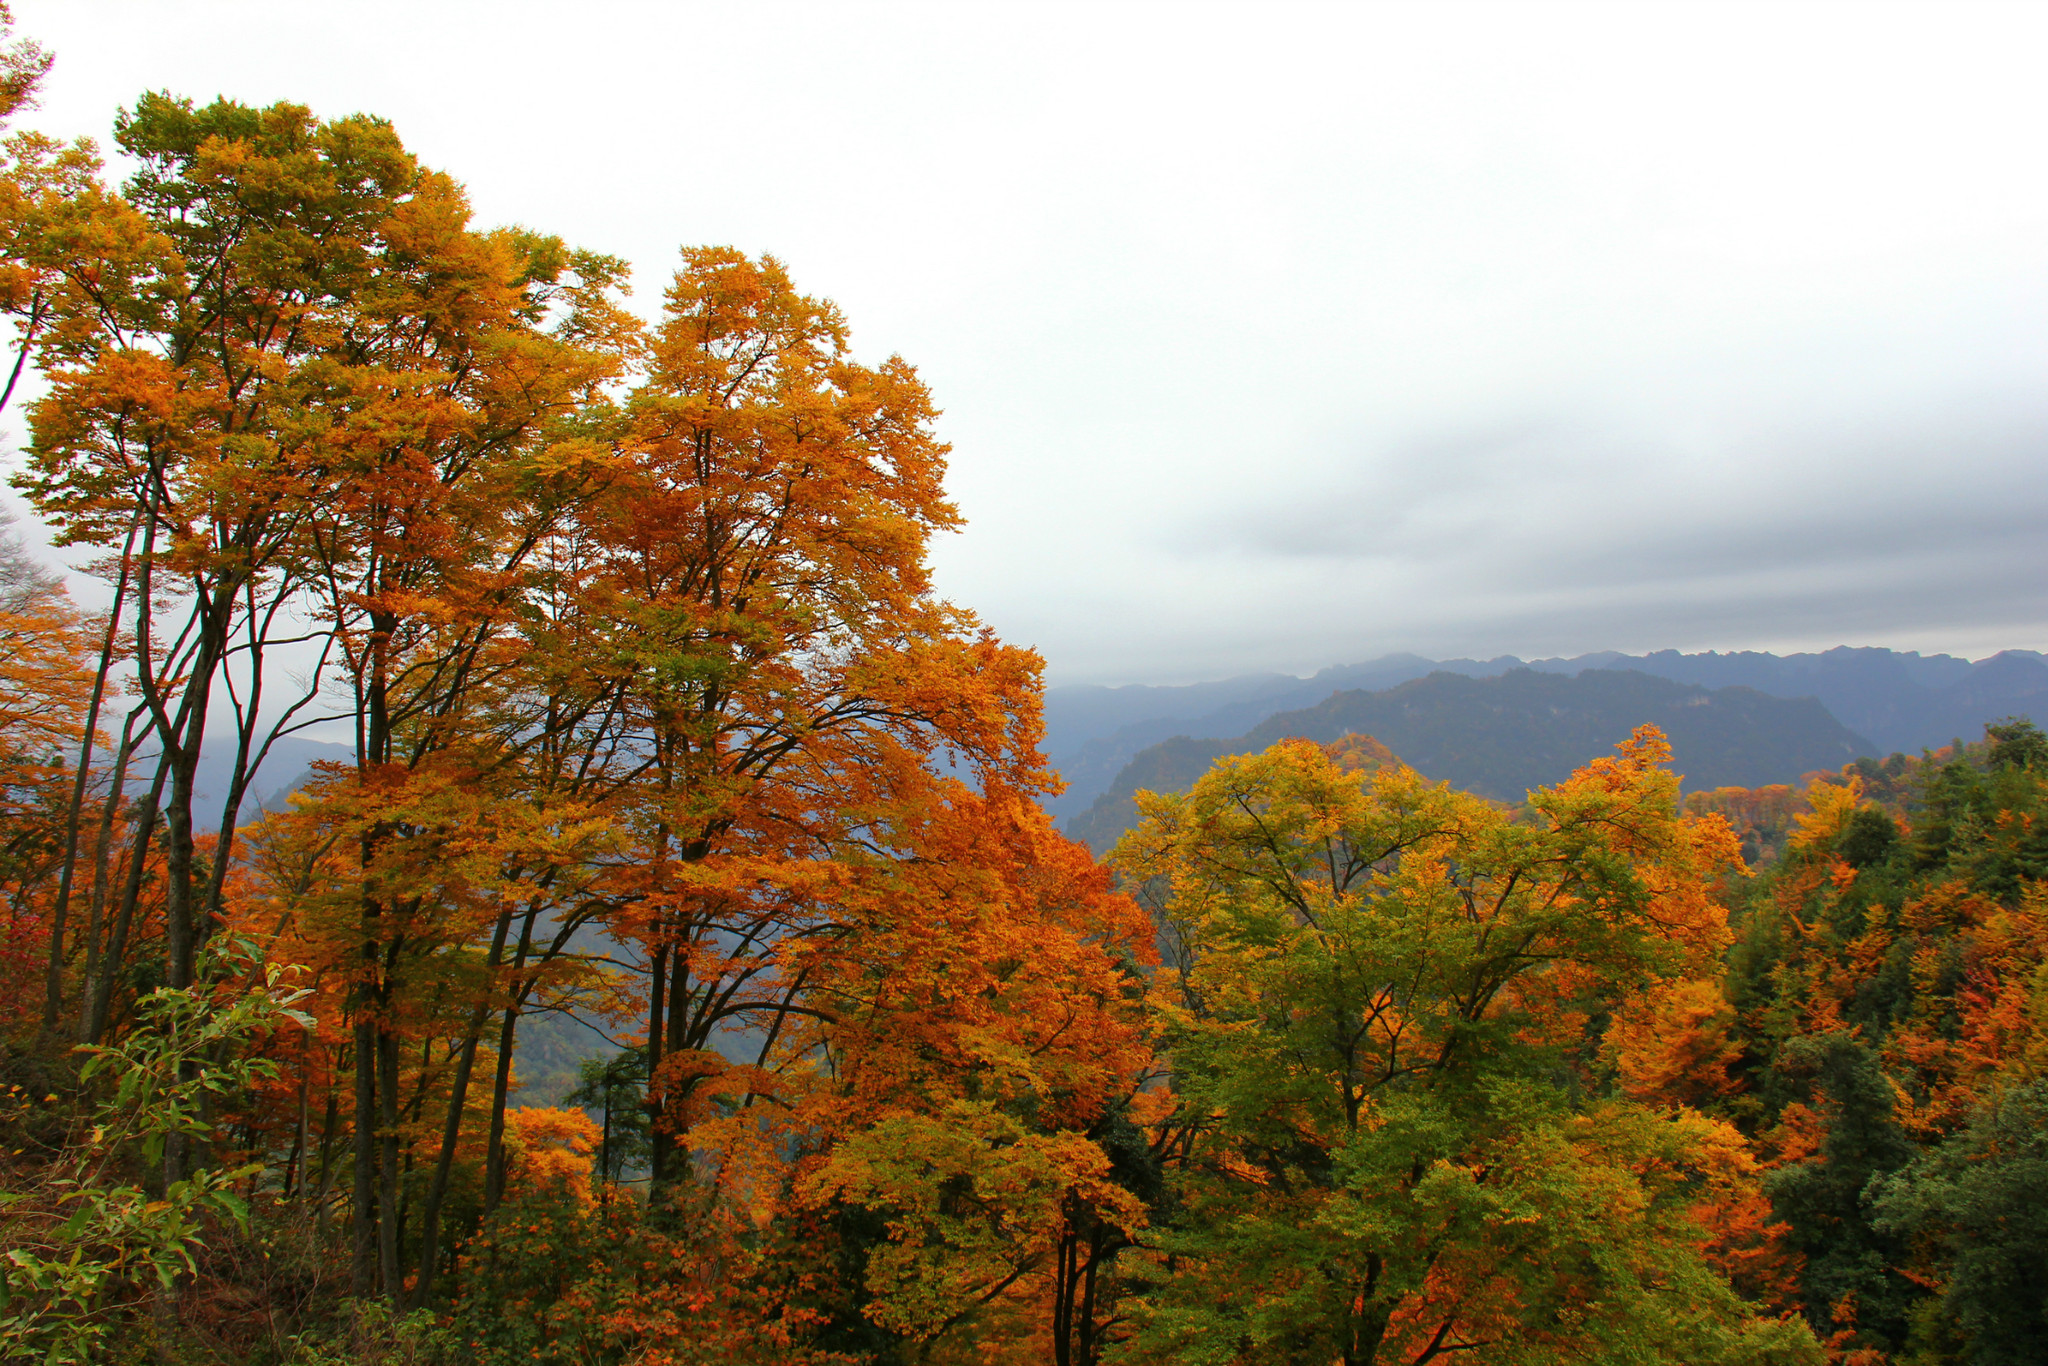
(658, 726)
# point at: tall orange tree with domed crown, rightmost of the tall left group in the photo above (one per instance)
(757, 597)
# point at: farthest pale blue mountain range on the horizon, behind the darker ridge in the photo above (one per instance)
(1895, 699)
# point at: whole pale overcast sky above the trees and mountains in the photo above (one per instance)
(1285, 335)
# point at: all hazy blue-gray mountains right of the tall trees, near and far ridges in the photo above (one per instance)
(1717, 708)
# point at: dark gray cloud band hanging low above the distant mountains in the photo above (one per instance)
(1607, 533)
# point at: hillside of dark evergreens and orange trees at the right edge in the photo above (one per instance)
(1879, 1035)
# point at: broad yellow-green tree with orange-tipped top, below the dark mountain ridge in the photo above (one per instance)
(1373, 1154)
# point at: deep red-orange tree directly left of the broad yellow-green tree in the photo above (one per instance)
(986, 1043)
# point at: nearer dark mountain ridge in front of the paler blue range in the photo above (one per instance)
(1517, 730)
